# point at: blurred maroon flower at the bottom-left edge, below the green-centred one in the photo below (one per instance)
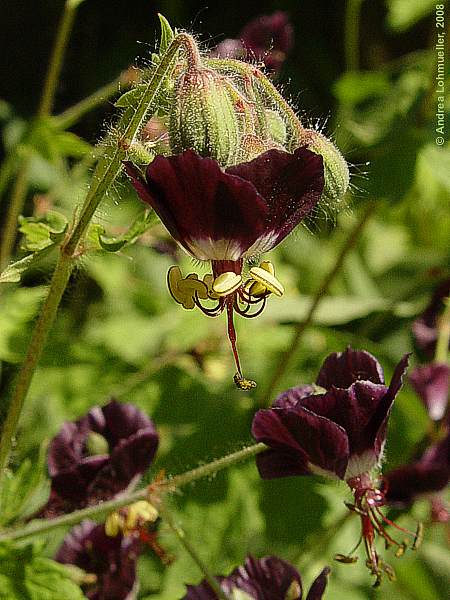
(109, 562)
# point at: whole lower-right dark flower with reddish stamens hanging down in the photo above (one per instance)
(340, 432)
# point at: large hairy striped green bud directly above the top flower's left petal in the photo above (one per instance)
(203, 116)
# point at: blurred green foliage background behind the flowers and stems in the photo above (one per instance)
(119, 333)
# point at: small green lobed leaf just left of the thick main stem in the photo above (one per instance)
(43, 231)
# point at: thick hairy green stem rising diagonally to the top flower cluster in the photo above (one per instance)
(106, 172)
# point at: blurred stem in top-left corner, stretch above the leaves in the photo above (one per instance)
(56, 59)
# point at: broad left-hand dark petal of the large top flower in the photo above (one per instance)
(197, 200)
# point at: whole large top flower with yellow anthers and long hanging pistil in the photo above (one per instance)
(225, 215)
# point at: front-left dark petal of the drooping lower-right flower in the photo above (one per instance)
(305, 436)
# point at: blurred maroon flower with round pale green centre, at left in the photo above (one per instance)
(98, 456)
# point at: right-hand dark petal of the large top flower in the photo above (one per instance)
(291, 185)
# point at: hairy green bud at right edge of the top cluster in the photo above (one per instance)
(336, 172)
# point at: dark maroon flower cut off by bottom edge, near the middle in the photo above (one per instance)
(268, 578)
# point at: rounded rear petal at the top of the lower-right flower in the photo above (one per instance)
(341, 369)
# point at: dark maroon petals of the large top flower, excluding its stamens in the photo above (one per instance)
(226, 215)
